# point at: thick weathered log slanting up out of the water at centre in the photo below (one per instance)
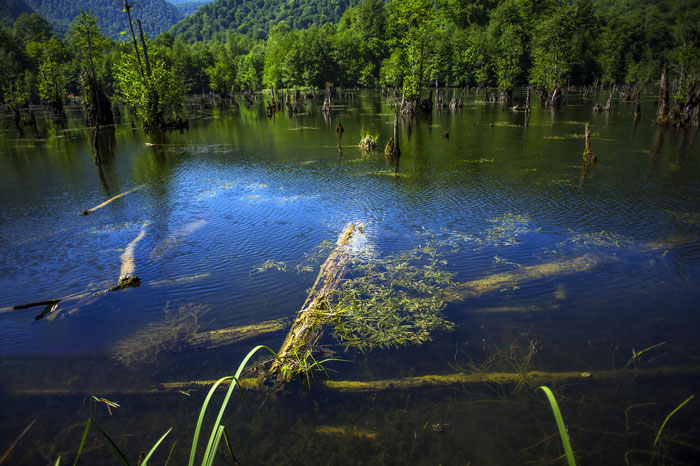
(308, 325)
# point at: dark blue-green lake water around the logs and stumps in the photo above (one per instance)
(504, 192)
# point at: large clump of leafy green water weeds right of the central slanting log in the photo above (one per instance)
(392, 302)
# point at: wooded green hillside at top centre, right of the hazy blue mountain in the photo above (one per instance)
(257, 17)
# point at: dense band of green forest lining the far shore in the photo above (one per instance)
(549, 45)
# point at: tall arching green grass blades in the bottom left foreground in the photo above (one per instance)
(218, 430)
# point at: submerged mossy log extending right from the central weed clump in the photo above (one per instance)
(495, 282)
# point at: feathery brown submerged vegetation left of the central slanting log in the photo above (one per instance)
(173, 332)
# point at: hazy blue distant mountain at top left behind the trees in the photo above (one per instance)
(156, 15)
